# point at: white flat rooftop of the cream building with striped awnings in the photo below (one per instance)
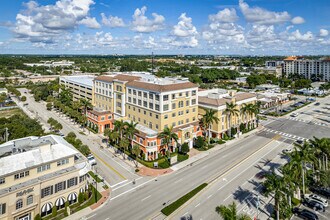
(33, 151)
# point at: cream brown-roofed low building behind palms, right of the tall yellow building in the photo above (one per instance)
(216, 99)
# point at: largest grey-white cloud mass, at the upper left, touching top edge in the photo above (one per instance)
(44, 23)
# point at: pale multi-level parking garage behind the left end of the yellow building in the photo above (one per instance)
(81, 86)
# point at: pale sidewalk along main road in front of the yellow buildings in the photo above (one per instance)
(203, 154)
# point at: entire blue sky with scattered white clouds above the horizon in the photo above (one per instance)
(245, 27)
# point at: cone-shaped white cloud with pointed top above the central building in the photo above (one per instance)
(184, 28)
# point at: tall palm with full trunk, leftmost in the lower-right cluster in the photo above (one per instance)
(274, 184)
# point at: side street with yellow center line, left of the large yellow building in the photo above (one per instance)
(113, 169)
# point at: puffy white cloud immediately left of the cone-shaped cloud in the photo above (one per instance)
(142, 24)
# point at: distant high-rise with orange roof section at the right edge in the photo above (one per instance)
(310, 69)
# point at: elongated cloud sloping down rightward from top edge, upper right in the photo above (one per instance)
(262, 16)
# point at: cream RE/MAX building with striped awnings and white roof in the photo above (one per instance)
(37, 174)
